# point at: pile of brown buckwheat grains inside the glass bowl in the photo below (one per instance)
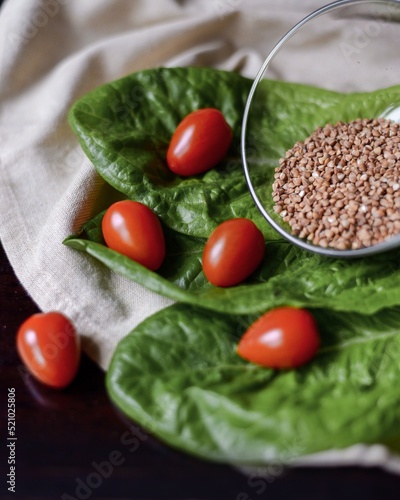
(340, 188)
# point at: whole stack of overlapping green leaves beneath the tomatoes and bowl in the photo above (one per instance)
(177, 373)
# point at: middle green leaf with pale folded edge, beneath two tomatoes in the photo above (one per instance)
(287, 275)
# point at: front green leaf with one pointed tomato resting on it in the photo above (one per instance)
(178, 375)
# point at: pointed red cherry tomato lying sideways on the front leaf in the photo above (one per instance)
(284, 337)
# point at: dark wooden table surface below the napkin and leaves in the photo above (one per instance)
(65, 437)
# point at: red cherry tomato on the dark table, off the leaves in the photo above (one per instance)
(50, 349)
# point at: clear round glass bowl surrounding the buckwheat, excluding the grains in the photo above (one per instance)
(349, 47)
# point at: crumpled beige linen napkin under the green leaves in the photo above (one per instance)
(54, 51)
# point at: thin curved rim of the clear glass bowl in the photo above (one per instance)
(391, 243)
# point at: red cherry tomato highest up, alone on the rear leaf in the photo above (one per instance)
(200, 141)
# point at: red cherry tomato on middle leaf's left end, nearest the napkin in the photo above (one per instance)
(131, 228)
